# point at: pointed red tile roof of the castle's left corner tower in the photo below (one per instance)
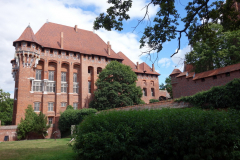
(27, 35)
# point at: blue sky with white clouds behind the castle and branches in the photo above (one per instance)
(16, 15)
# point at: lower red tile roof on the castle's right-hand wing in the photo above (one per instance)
(142, 67)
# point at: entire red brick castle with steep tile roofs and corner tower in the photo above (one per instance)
(58, 66)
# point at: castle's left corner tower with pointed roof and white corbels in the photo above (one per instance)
(27, 55)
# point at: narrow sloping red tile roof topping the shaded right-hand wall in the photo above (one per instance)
(222, 70)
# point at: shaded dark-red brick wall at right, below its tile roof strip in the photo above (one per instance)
(182, 86)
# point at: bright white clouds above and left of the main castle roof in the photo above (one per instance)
(15, 16)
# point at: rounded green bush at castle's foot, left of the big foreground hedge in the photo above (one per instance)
(73, 117)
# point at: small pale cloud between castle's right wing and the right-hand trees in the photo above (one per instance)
(178, 59)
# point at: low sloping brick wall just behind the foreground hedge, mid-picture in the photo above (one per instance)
(157, 105)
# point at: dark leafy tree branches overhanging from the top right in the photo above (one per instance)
(165, 24)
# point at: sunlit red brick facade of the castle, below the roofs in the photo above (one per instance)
(70, 63)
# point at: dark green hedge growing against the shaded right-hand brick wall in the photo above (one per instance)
(217, 97)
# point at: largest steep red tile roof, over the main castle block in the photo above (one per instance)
(82, 41)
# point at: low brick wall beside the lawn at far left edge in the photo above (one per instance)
(9, 131)
